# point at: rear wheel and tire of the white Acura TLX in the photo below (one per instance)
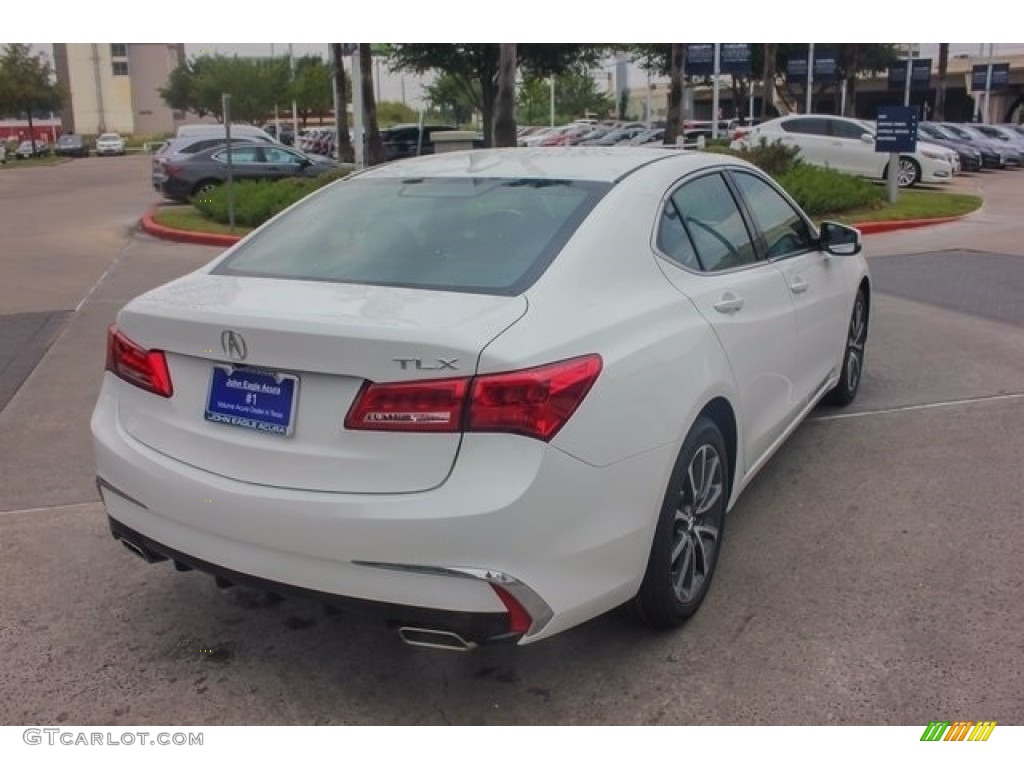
(689, 537)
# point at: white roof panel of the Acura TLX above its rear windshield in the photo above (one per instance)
(573, 163)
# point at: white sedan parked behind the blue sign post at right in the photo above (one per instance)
(848, 145)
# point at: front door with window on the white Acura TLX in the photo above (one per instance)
(817, 282)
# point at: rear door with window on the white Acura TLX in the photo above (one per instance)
(713, 262)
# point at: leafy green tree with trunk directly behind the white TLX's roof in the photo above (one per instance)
(478, 65)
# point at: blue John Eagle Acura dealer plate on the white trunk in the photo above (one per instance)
(264, 401)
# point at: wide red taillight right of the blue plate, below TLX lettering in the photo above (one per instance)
(536, 403)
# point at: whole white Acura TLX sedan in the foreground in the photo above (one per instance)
(491, 395)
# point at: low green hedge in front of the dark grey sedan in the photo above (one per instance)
(255, 202)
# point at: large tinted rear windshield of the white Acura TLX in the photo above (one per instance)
(481, 236)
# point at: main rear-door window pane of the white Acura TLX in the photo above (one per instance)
(715, 225)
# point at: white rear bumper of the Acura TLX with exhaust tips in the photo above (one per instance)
(571, 541)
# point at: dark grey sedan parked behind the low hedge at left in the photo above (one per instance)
(188, 176)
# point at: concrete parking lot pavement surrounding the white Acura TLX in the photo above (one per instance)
(871, 575)
